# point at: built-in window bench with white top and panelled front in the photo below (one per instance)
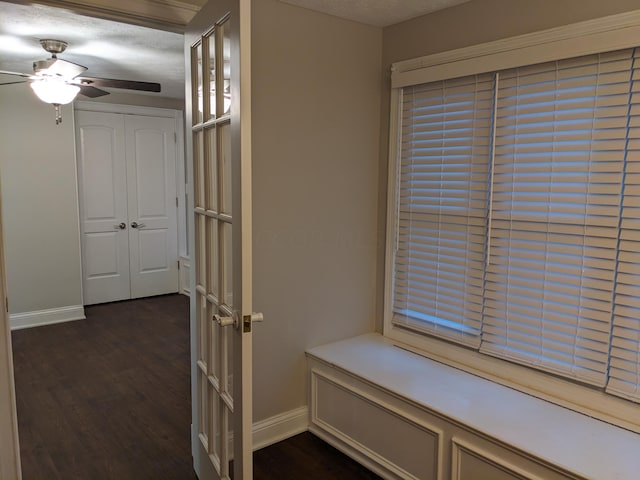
(405, 416)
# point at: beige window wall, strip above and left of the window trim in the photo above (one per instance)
(472, 23)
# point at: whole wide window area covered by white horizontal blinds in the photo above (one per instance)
(518, 216)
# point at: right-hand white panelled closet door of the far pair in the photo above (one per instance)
(151, 184)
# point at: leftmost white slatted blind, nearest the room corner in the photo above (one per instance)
(442, 207)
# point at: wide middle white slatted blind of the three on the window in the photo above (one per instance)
(560, 142)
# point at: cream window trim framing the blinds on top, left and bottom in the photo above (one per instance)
(584, 38)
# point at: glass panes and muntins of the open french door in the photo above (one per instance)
(213, 222)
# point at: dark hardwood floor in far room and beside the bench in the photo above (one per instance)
(109, 398)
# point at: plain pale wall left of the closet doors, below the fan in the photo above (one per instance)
(39, 203)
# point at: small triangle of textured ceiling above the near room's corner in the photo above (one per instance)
(379, 13)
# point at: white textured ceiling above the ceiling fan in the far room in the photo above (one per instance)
(109, 49)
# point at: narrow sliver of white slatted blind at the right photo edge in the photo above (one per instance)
(624, 371)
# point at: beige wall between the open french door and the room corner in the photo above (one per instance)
(315, 119)
